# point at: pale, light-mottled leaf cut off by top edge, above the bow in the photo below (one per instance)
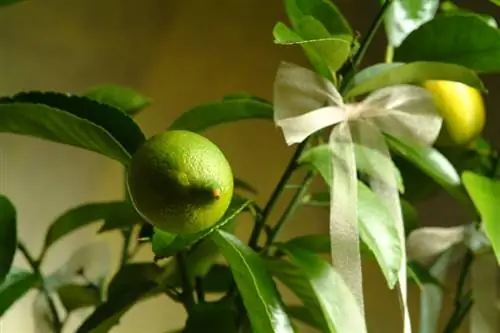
(404, 16)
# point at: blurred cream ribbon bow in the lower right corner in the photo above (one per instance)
(425, 245)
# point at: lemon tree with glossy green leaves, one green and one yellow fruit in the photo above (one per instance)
(187, 205)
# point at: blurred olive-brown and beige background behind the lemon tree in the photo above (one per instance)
(180, 53)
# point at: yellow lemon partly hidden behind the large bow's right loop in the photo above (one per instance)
(462, 109)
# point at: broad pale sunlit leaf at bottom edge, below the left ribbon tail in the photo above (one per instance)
(309, 276)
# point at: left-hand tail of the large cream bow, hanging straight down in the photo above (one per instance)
(344, 233)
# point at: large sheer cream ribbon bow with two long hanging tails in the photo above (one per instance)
(305, 102)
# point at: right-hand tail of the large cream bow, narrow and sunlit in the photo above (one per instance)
(384, 183)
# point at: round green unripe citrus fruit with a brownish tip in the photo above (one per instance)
(180, 182)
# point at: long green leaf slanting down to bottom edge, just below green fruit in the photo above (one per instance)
(259, 294)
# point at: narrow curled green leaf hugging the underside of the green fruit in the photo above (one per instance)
(166, 245)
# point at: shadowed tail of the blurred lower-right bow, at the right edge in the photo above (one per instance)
(484, 312)
